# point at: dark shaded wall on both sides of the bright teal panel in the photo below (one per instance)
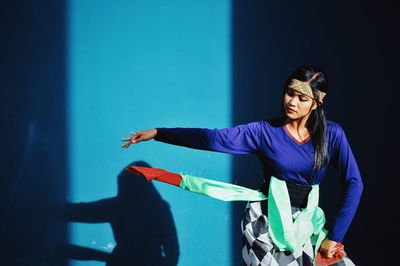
(354, 42)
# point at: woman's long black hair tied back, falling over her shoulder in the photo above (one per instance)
(316, 123)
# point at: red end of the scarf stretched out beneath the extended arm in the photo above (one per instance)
(157, 174)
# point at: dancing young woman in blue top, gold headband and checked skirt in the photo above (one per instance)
(295, 149)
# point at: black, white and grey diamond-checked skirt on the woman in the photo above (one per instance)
(258, 249)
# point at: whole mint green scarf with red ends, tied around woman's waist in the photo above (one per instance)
(287, 234)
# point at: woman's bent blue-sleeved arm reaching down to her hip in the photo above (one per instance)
(344, 161)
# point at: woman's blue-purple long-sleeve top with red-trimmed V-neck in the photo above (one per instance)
(282, 156)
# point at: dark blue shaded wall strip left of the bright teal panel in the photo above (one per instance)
(33, 153)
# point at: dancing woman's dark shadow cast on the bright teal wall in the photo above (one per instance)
(141, 222)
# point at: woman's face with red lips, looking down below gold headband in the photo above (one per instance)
(297, 105)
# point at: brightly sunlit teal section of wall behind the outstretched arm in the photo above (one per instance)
(136, 65)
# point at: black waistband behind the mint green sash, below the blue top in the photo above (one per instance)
(298, 194)
